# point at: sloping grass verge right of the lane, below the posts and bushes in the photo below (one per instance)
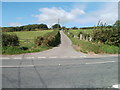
(90, 47)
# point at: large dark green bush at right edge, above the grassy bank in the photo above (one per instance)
(106, 35)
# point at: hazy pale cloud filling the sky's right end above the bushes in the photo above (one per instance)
(107, 14)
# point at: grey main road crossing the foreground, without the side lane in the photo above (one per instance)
(60, 73)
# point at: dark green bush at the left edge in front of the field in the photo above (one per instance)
(10, 40)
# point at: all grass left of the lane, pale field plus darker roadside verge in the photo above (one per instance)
(26, 39)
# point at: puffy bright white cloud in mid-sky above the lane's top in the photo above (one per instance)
(51, 15)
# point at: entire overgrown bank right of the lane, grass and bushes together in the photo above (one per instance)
(105, 39)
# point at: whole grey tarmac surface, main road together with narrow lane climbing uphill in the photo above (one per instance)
(60, 67)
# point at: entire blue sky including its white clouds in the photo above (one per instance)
(70, 14)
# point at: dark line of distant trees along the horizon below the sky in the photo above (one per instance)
(35, 27)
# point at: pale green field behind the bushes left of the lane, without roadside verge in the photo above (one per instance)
(27, 37)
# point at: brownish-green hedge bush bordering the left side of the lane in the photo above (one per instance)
(50, 39)
